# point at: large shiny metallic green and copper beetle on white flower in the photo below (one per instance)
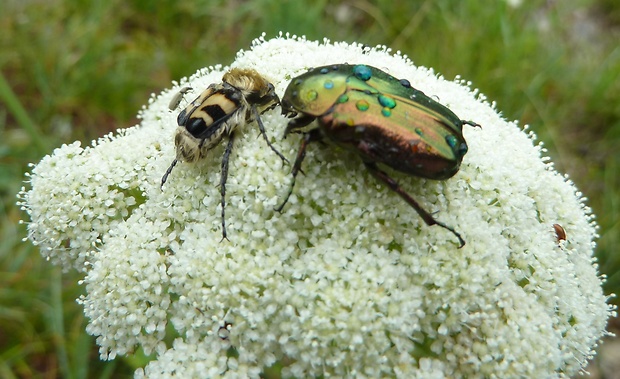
(383, 119)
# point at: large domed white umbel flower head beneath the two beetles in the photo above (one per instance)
(348, 281)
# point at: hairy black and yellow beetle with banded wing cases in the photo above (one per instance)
(217, 113)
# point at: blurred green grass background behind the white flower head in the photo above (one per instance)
(80, 69)
